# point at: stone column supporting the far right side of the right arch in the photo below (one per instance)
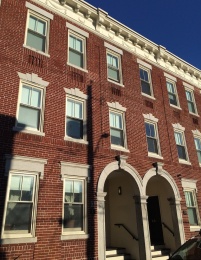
(177, 221)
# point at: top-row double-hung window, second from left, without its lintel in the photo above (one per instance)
(77, 50)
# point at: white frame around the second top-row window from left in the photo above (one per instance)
(83, 39)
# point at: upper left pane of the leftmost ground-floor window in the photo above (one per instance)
(15, 188)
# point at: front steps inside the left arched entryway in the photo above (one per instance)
(117, 254)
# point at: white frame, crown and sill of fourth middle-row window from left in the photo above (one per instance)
(152, 120)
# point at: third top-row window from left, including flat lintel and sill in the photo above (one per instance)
(114, 69)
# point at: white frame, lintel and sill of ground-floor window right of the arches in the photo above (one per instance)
(189, 185)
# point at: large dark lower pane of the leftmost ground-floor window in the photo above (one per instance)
(18, 217)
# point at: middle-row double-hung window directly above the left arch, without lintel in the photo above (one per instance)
(116, 128)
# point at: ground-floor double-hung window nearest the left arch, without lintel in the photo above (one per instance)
(73, 205)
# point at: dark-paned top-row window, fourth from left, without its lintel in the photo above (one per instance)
(145, 81)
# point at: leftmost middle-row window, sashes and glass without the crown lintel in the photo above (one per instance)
(30, 107)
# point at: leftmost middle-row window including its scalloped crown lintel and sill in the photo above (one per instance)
(31, 102)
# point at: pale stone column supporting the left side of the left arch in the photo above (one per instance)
(101, 224)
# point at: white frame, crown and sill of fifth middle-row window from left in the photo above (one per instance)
(181, 130)
